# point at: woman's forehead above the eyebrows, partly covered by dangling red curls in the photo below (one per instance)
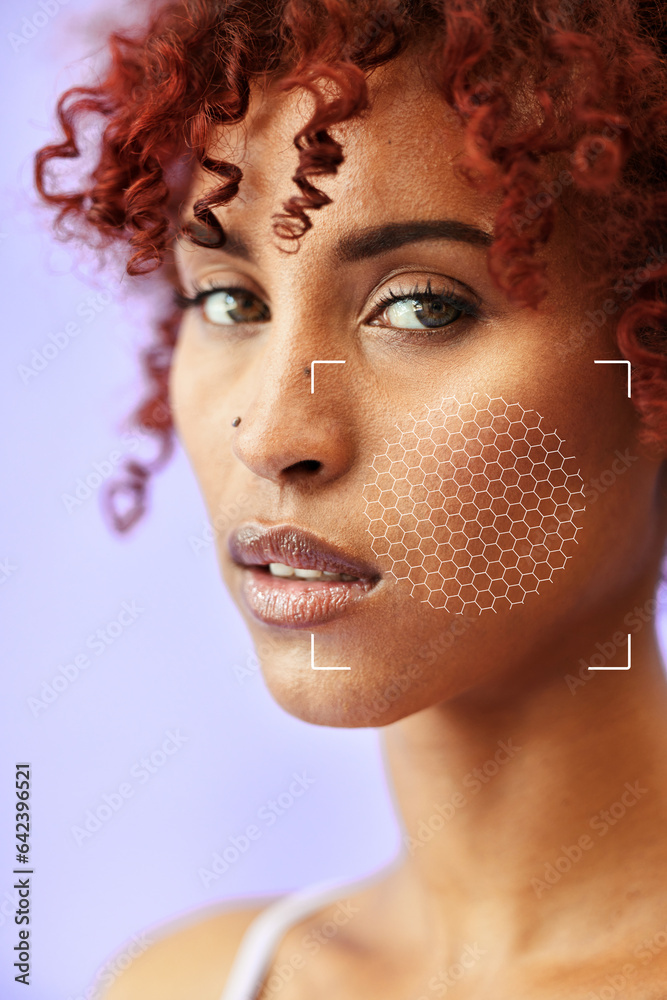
(398, 154)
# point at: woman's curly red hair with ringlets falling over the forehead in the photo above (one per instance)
(596, 70)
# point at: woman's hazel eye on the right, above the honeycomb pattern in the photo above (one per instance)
(423, 309)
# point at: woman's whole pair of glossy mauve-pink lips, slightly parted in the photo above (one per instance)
(292, 603)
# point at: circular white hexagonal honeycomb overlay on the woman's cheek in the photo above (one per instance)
(473, 505)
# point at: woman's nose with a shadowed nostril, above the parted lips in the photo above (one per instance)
(288, 434)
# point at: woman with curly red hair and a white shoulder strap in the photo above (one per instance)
(451, 516)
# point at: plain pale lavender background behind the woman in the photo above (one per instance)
(171, 668)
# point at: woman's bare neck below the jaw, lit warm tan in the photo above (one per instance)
(532, 815)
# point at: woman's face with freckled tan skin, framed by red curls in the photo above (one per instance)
(450, 461)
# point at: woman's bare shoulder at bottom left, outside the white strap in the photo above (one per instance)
(179, 961)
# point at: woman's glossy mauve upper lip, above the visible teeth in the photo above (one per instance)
(255, 545)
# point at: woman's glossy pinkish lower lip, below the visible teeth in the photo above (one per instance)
(293, 603)
